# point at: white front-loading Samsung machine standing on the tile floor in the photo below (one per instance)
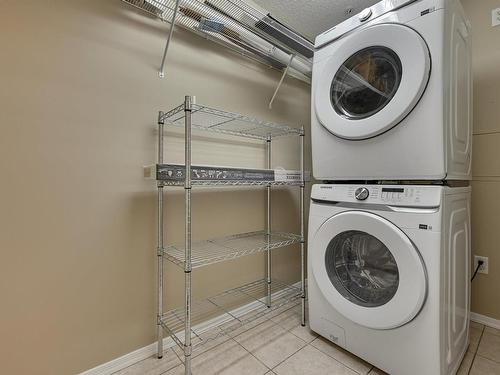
(389, 269)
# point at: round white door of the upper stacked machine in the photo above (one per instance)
(373, 80)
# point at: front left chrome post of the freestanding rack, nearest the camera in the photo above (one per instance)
(188, 100)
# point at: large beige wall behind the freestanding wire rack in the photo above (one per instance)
(79, 96)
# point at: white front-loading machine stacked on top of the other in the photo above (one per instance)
(391, 94)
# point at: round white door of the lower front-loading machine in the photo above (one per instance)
(368, 270)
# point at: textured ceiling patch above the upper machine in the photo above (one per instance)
(312, 17)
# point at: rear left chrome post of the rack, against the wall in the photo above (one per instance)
(160, 249)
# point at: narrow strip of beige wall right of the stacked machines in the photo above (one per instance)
(486, 154)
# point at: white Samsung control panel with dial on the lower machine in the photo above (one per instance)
(391, 195)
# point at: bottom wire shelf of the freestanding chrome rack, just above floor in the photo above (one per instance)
(226, 312)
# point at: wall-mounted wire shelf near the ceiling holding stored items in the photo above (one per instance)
(240, 27)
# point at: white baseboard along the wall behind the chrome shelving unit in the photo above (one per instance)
(138, 355)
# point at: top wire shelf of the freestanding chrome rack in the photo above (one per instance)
(218, 121)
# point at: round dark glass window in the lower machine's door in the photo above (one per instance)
(362, 268)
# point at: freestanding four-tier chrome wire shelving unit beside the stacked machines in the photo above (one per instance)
(242, 305)
